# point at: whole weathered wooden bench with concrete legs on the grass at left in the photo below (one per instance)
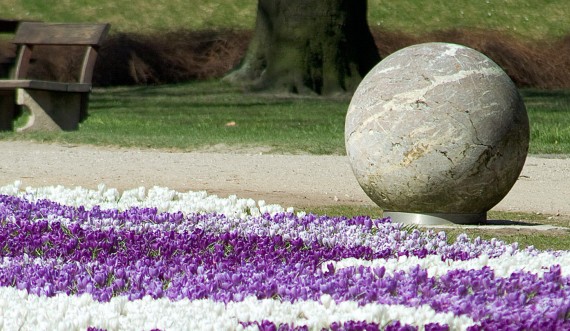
(53, 105)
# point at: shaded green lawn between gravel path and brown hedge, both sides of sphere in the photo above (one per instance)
(194, 116)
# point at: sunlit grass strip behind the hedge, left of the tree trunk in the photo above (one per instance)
(139, 15)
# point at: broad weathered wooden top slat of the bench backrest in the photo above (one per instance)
(60, 33)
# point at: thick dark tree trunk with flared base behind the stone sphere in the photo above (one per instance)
(321, 47)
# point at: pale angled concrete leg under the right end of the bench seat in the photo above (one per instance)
(50, 111)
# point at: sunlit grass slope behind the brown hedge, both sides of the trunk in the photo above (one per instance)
(531, 19)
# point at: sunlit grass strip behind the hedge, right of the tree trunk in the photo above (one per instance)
(529, 19)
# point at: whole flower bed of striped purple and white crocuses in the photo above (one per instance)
(79, 259)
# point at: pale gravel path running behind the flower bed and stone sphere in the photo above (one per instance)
(289, 180)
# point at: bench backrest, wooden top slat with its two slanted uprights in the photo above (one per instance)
(30, 34)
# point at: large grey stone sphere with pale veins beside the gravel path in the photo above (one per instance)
(437, 128)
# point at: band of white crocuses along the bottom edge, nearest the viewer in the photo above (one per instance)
(22, 311)
